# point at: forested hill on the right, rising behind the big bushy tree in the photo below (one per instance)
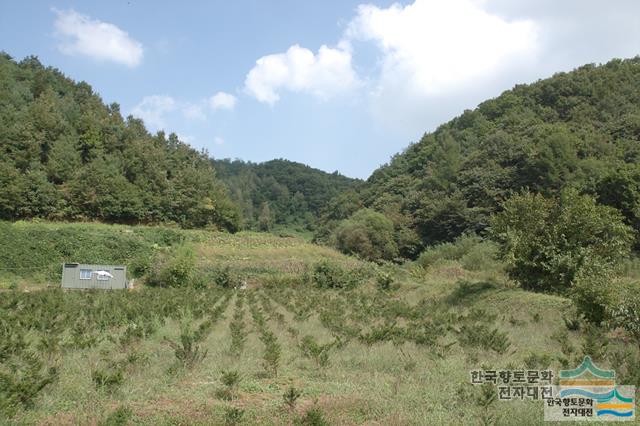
(579, 129)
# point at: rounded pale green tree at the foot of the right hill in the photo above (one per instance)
(367, 234)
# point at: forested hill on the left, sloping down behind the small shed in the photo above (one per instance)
(66, 155)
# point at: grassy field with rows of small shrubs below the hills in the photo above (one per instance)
(395, 346)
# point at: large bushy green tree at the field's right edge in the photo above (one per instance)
(545, 242)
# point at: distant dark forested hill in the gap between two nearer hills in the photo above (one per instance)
(280, 191)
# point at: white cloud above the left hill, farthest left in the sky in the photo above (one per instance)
(82, 35)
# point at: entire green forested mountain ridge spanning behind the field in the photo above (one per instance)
(67, 156)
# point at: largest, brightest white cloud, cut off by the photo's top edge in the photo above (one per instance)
(431, 47)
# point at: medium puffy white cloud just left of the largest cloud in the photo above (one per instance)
(324, 75)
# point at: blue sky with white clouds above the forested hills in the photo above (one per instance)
(339, 85)
